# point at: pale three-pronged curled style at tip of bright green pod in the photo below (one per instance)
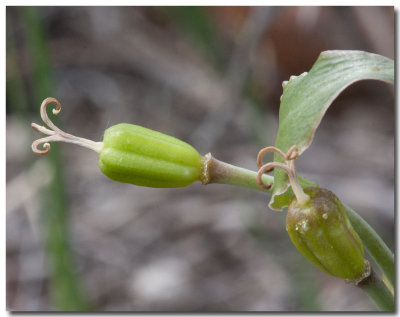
(55, 134)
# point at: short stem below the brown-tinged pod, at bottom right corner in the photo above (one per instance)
(377, 292)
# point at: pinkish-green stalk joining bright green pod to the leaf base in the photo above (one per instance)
(216, 171)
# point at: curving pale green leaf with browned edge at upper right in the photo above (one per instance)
(306, 98)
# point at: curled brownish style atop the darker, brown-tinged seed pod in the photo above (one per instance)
(289, 167)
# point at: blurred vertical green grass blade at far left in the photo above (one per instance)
(65, 288)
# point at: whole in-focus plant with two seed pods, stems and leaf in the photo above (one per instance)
(304, 101)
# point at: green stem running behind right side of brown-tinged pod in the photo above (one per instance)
(375, 246)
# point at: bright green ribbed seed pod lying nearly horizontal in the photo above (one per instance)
(140, 156)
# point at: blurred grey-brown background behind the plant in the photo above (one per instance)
(212, 77)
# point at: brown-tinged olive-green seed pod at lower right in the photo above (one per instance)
(321, 231)
